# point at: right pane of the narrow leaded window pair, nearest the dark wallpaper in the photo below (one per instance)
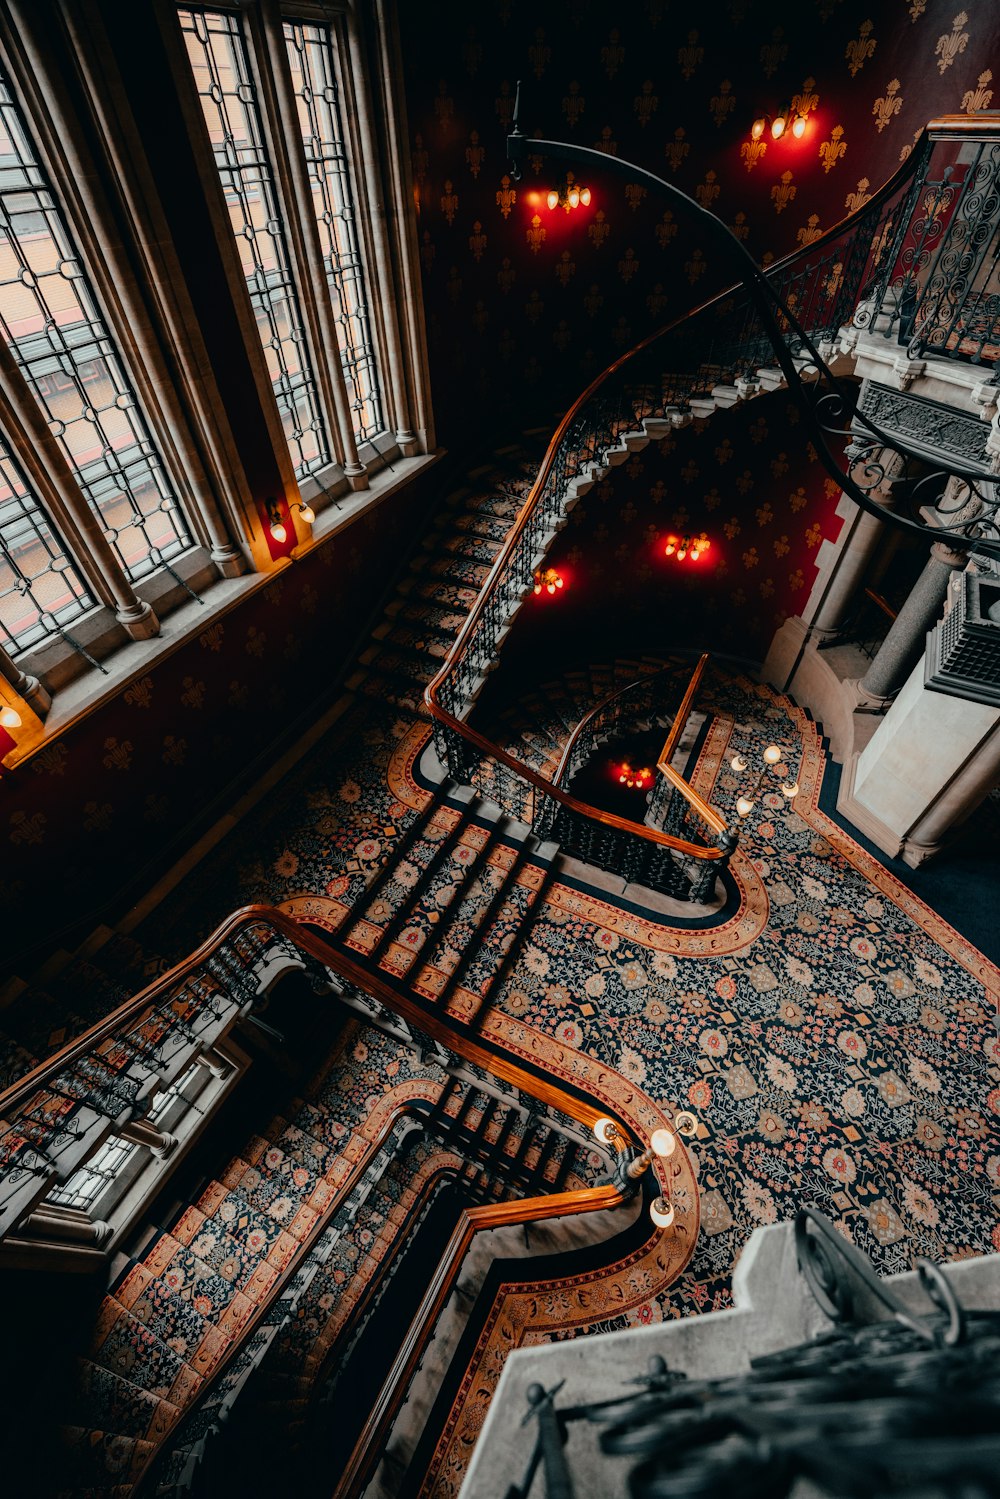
(314, 80)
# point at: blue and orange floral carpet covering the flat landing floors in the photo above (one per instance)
(833, 1035)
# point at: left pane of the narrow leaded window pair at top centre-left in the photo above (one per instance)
(223, 76)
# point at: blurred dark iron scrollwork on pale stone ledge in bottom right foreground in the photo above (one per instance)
(879, 1405)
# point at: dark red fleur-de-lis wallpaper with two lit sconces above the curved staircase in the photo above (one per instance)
(527, 304)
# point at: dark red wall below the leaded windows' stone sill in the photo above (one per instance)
(106, 801)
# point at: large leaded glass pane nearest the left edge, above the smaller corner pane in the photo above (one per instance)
(58, 335)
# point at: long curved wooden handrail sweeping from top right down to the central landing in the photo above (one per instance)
(938, 130)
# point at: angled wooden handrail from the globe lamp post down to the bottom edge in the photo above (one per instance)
(473, 1221)
